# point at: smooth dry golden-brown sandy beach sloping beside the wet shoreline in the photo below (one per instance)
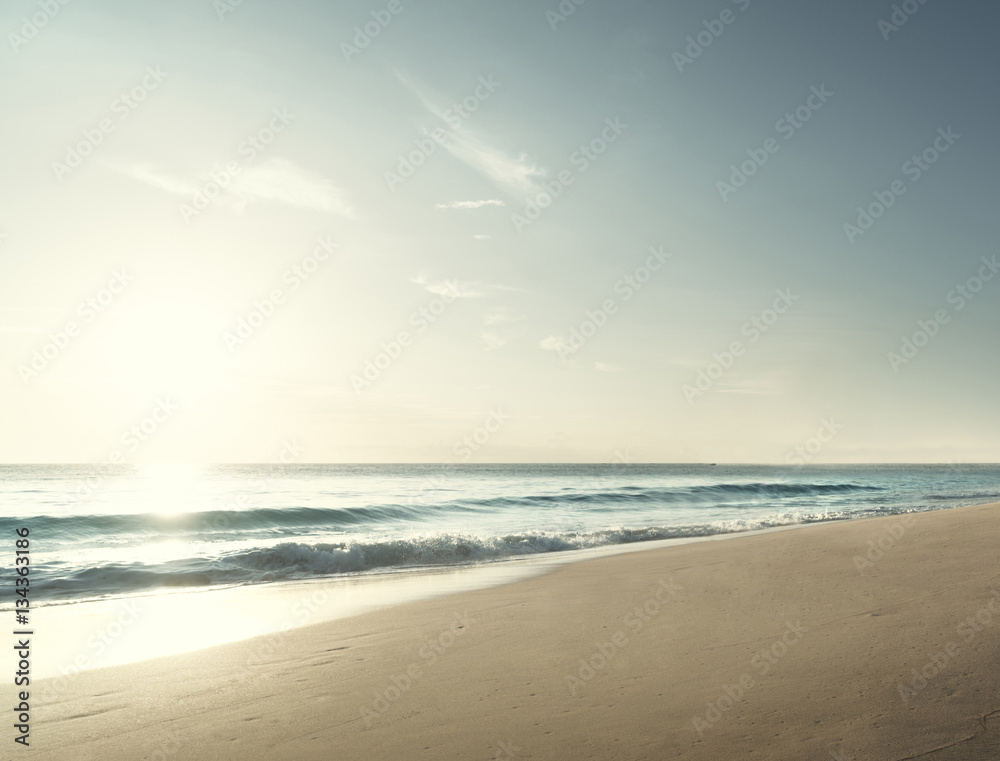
(868, 639)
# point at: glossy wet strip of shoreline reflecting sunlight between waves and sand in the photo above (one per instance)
(135, 627)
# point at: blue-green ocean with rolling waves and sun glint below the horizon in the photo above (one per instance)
(98, 531)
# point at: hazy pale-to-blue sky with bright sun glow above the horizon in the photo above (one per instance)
(498, 231)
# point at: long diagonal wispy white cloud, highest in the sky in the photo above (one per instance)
(516, 175)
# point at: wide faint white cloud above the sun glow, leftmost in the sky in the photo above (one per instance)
(275, 180)
